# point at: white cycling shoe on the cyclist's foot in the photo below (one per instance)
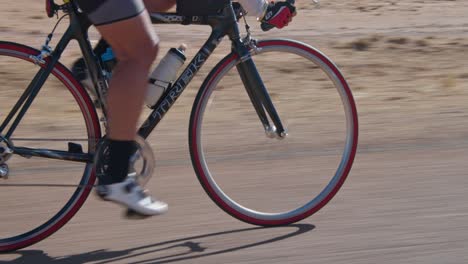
(131, 195)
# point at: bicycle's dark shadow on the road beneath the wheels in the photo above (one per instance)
(191, 249)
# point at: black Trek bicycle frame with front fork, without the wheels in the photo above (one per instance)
(222, 25)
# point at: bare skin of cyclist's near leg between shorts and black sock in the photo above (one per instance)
(135, 45)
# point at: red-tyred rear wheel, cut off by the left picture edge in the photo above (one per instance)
(40, 194)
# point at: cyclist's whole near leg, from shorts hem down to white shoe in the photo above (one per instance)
(126, 26)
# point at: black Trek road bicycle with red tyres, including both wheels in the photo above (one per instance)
(255, 103)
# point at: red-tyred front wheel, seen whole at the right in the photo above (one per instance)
(262, 180)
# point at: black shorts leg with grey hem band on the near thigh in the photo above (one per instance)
(102, 12)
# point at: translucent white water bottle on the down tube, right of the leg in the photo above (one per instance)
(164, 74)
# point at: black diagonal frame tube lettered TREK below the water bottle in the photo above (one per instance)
(179, 86)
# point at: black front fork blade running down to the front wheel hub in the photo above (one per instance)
(260, 97)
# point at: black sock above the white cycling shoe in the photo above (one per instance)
(119, 159)
